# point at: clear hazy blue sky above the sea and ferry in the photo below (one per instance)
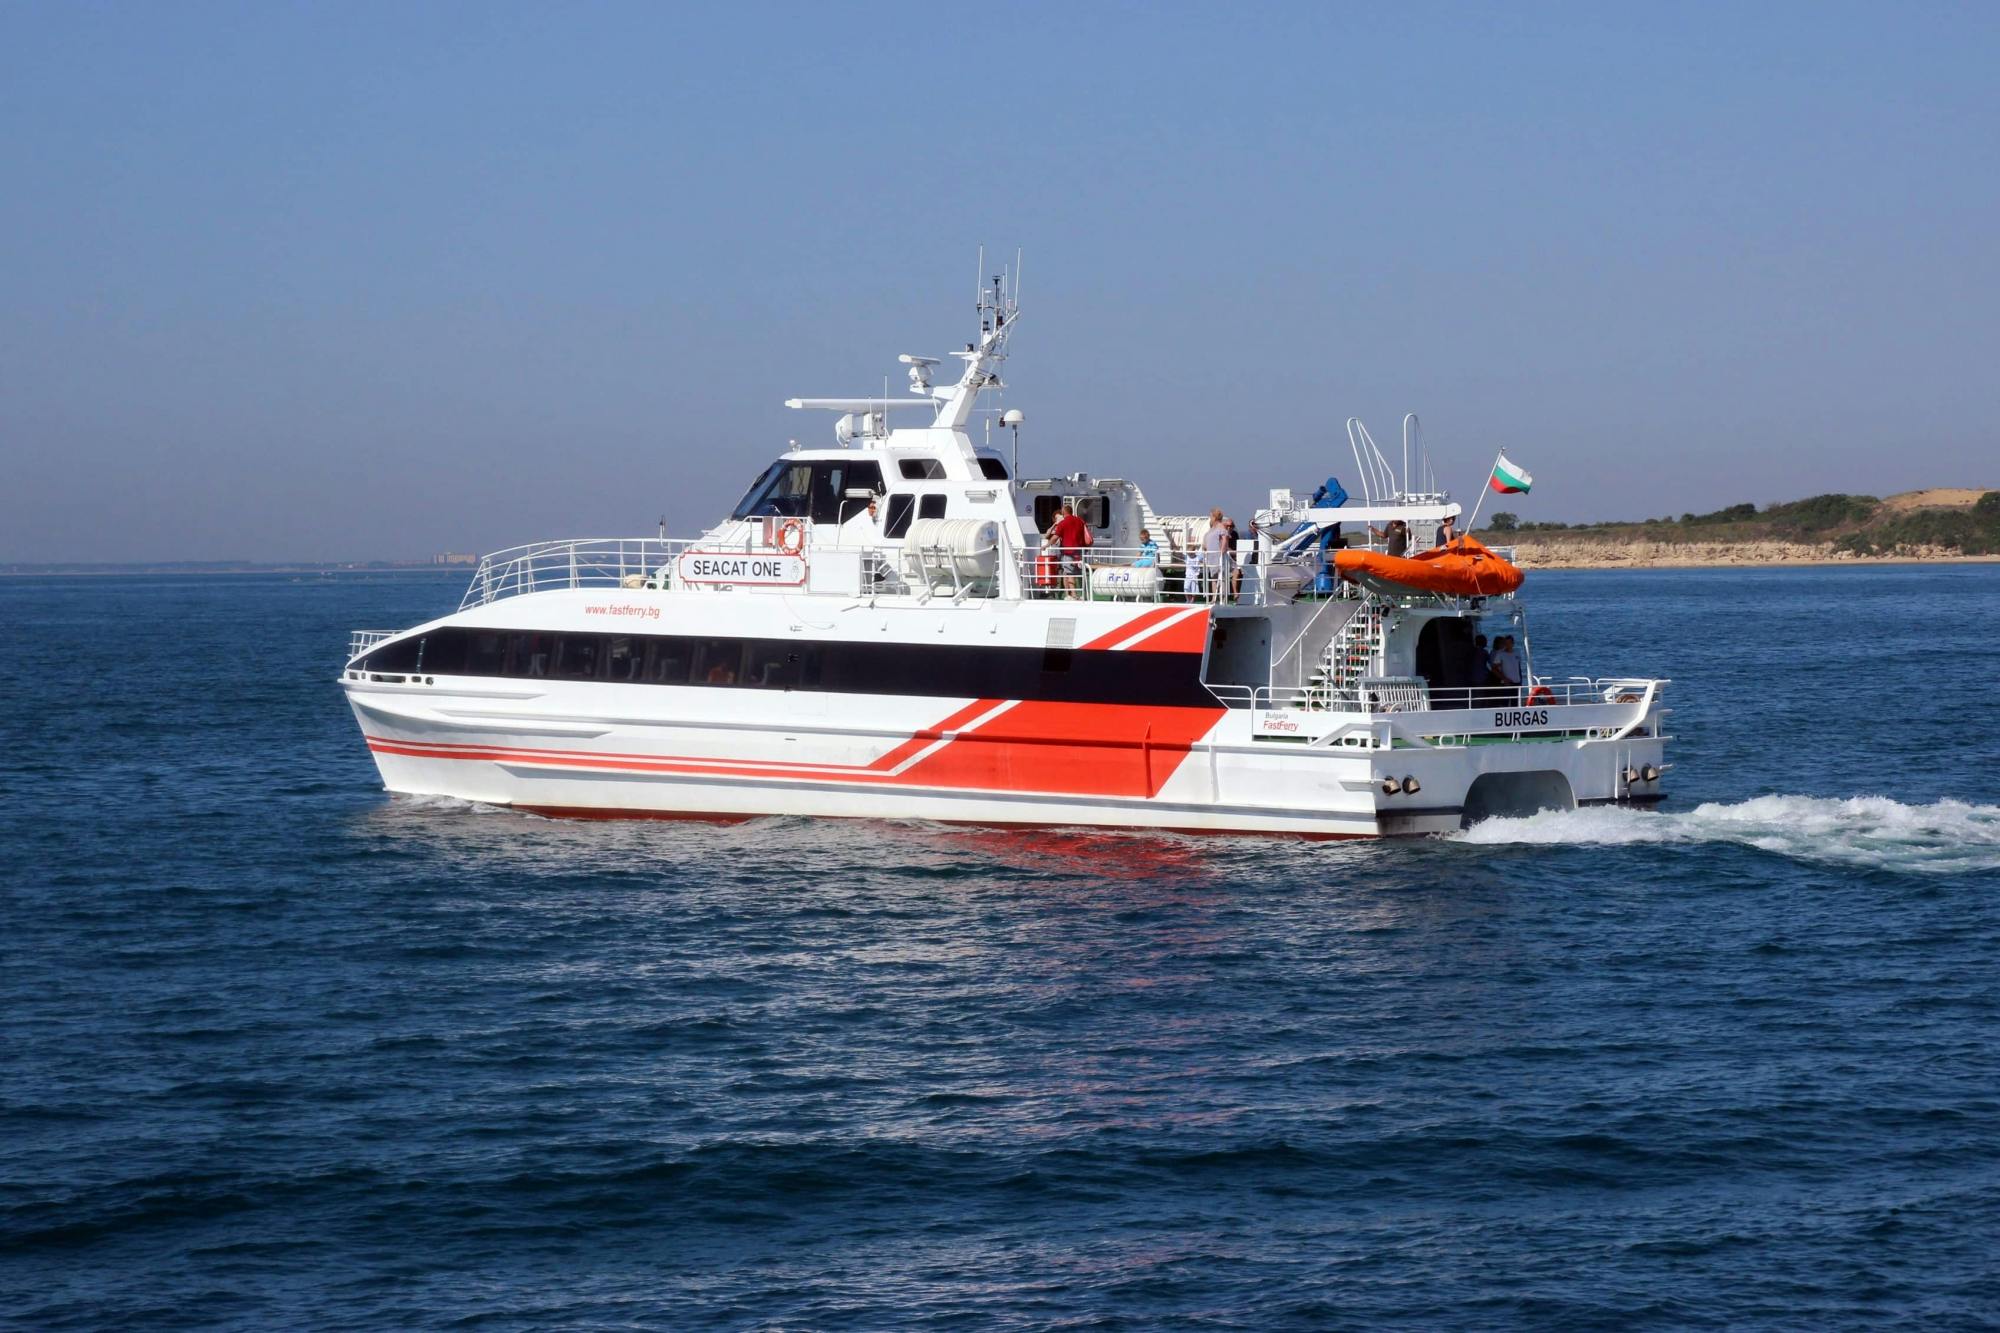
(367, 281)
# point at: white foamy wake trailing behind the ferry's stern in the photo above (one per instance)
(1947, 838)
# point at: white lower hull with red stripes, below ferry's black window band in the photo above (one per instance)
(963, 764)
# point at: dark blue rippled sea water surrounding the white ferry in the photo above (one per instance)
(277, 1050)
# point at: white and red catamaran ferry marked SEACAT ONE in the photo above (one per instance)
(881, 629)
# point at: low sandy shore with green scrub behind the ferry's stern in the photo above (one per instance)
(1849, 523)
